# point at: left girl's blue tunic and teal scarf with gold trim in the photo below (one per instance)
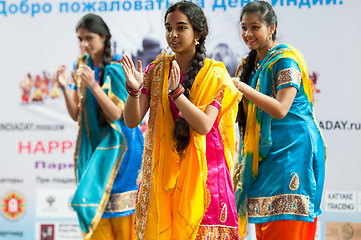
(107, 158)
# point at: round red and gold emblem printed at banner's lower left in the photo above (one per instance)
(13, 205)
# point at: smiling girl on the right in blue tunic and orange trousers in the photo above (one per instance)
(280, 175)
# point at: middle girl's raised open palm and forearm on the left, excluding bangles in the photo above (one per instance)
(135, 107)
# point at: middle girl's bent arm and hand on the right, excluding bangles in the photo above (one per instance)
(200, 121)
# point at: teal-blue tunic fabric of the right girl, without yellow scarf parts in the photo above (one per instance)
(289, 146)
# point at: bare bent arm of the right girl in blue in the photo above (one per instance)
(277, 107)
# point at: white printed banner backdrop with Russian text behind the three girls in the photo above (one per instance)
(37, 136)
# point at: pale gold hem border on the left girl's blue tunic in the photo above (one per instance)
(121, 202)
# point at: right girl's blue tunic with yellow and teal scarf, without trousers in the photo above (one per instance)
(289, 152)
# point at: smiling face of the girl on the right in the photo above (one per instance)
(255, 33)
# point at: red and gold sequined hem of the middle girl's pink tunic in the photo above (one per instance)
(216, 232)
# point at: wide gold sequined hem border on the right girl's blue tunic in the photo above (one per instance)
(281, 204)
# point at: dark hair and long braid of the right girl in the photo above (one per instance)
(267, 15)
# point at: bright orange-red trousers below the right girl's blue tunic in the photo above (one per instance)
(286, 230)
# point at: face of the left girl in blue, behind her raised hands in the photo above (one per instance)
(91, 43)
